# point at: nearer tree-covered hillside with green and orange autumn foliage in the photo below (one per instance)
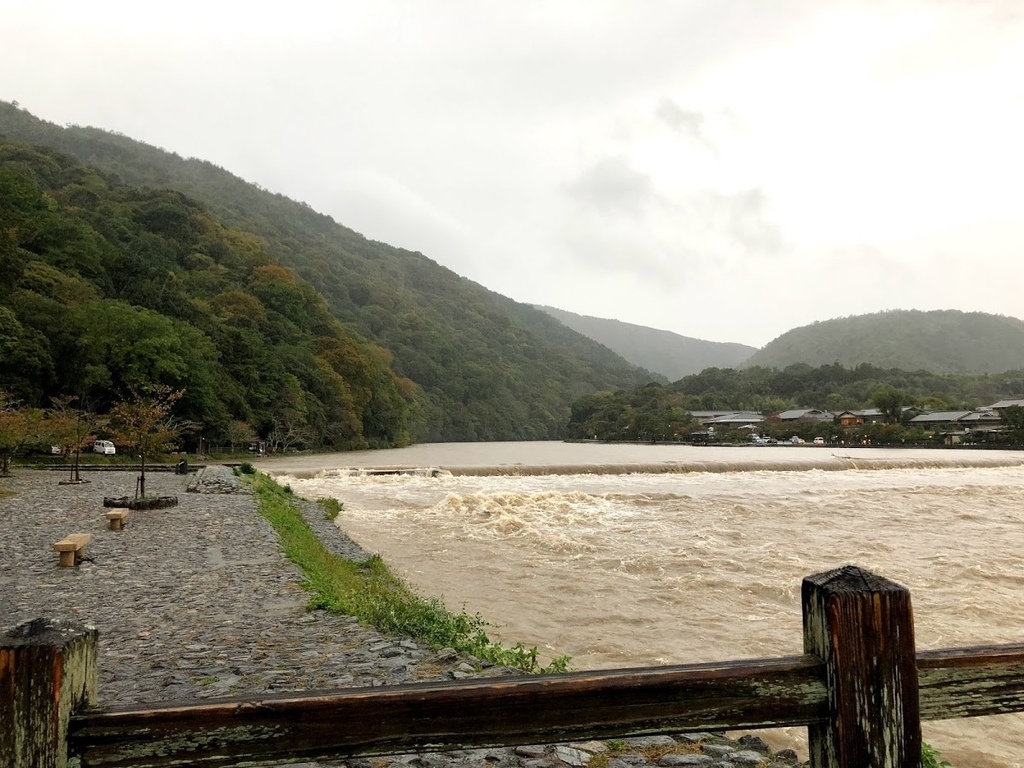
(107, 290)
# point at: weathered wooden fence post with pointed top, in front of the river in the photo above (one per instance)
(862, 626)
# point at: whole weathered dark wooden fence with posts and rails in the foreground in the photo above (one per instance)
(861, 690)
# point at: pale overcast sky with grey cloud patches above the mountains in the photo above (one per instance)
(726, 169)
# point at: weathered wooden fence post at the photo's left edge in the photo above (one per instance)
(48, 669)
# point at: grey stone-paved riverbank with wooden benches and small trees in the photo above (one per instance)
(197, 602)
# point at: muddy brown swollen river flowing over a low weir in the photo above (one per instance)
(636, 556)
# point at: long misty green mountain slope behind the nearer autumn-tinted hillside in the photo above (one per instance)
(489, 368)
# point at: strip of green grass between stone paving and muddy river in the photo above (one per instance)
(373, 594)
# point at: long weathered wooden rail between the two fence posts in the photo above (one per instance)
(444, 716)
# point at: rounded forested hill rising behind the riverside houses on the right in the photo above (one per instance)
(944, 342)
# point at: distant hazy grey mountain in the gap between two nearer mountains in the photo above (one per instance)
(662, 352)
